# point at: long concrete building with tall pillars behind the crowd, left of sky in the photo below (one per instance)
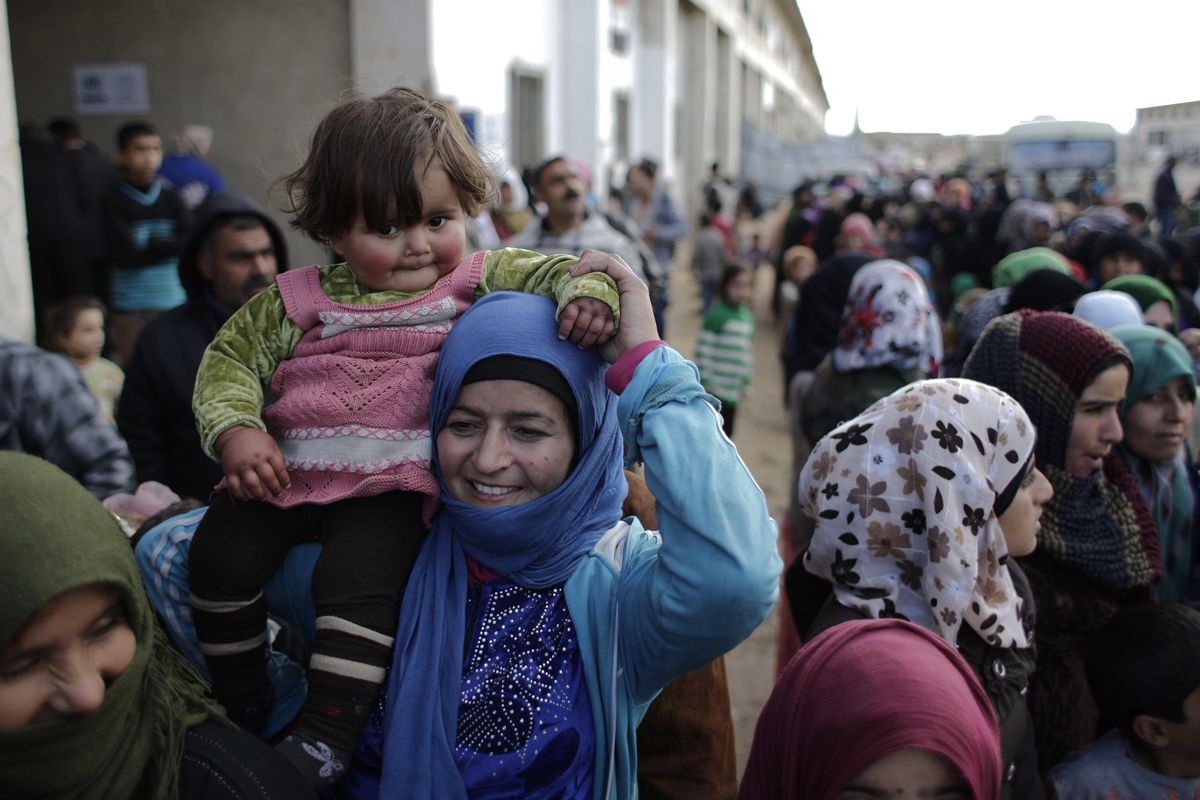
(682, 82)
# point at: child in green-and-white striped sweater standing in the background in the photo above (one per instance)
(725, 352)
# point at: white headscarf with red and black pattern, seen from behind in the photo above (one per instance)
(889, 322)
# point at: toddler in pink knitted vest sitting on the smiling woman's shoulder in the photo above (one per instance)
(343, 454)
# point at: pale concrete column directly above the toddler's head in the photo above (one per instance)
(391, 45)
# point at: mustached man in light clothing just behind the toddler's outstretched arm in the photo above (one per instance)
(571, 226)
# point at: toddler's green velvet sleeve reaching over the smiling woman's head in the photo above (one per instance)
(550, 276)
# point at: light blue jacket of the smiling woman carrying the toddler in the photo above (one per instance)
(647, 606)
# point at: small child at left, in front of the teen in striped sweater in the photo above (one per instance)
(76, 329)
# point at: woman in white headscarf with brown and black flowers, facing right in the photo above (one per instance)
(920, 502)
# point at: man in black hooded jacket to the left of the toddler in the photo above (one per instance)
(232, 254)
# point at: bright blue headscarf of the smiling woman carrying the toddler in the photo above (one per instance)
(537, 544)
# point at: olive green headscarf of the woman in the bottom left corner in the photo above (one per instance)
(55, 538)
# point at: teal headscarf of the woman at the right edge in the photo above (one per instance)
(1159, 359)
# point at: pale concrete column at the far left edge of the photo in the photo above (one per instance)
(16, 288)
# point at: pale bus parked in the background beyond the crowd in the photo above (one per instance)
(1065, 151)
